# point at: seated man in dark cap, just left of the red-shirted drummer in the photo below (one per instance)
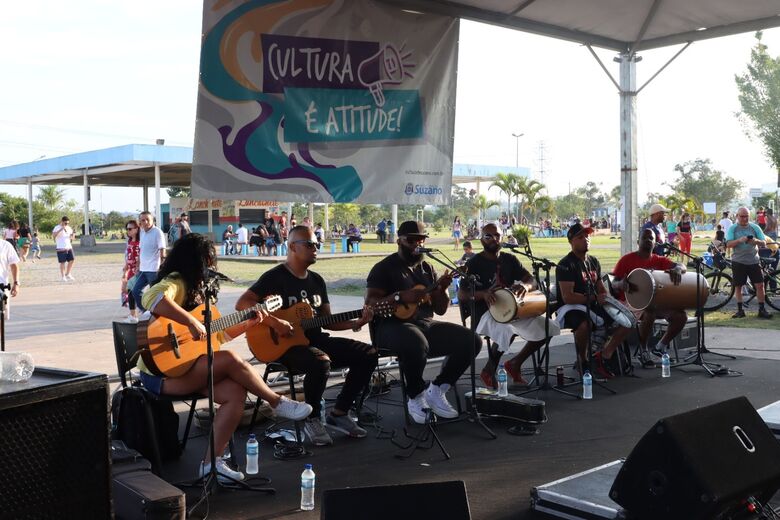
(578, 278)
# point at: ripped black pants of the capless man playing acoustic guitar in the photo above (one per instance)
(343, 352)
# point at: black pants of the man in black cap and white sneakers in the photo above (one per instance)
(415, 342)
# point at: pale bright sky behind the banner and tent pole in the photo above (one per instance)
(91, 74)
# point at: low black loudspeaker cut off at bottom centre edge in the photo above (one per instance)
(429, 500)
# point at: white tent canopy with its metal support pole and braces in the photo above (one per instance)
(624, 26)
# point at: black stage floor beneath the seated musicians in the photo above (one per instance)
(579, 435)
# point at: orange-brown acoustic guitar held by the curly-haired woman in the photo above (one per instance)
(168, 348)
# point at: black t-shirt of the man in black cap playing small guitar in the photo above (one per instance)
(391, 274)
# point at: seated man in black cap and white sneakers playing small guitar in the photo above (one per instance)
(409, 281)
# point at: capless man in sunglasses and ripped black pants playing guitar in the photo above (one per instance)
(296, 283)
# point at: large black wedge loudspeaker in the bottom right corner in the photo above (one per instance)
(700, 464)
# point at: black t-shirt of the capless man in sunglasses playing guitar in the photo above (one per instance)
(293, 290)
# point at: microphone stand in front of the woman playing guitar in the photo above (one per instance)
(210, 482)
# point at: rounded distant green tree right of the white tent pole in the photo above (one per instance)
(699, 181)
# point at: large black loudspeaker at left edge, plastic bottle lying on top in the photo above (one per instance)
(54, 438)
